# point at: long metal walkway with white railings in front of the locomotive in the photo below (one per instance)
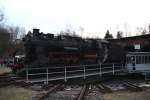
(67, 72)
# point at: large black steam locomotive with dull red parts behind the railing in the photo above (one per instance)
(47, 50)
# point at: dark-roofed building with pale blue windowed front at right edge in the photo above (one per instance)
(137, 53)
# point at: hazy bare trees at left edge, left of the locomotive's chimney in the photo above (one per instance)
(8, 35)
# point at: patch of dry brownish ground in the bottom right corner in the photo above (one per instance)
(127, 95)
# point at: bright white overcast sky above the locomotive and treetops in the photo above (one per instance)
(89, 18)
